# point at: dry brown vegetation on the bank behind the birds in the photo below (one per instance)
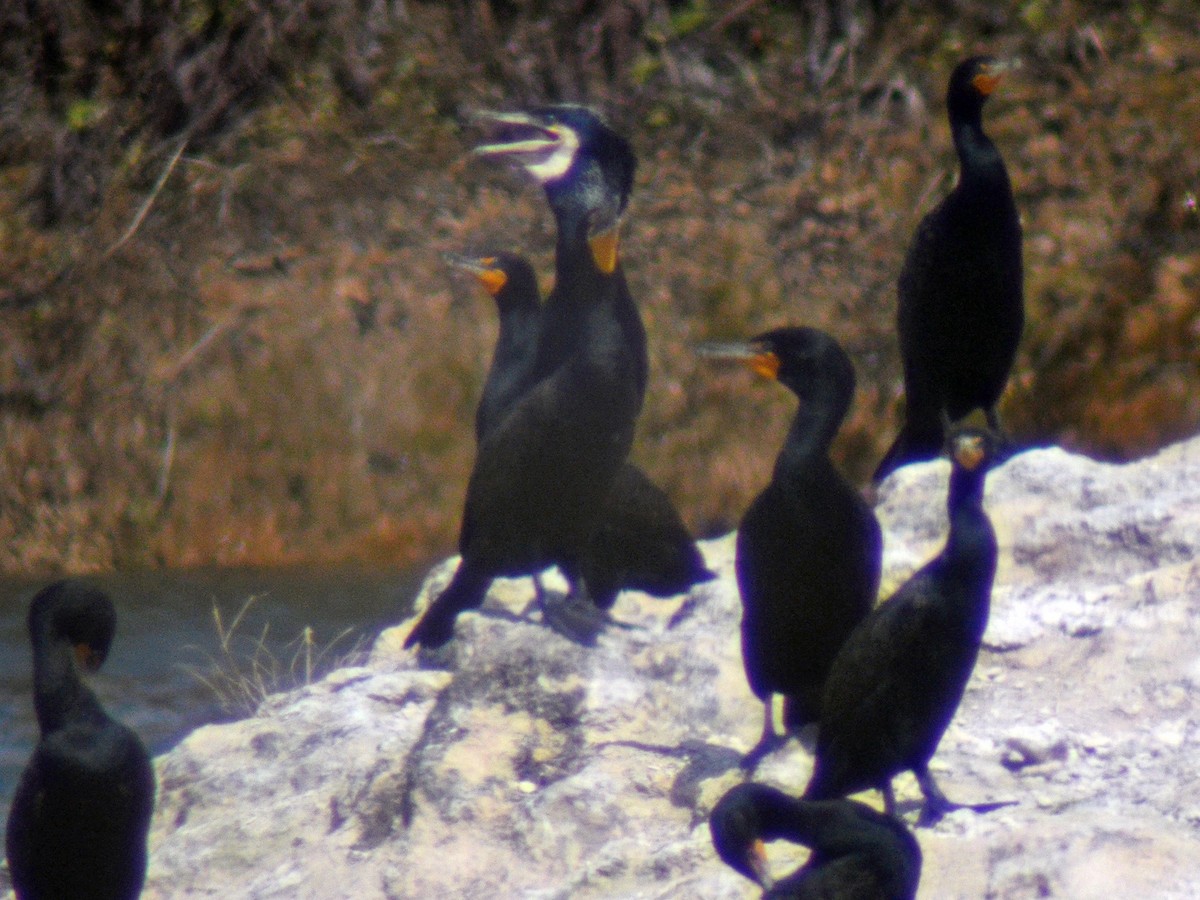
(229, 337)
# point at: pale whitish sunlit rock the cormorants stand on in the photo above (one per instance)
(521, 765)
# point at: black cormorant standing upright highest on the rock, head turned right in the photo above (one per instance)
(962, 304)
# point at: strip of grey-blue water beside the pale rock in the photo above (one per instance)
(165, 625)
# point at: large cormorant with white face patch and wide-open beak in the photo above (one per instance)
(543, 475)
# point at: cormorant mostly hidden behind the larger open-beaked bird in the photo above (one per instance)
(640, 542)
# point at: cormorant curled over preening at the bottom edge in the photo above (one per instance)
(857, 854)
